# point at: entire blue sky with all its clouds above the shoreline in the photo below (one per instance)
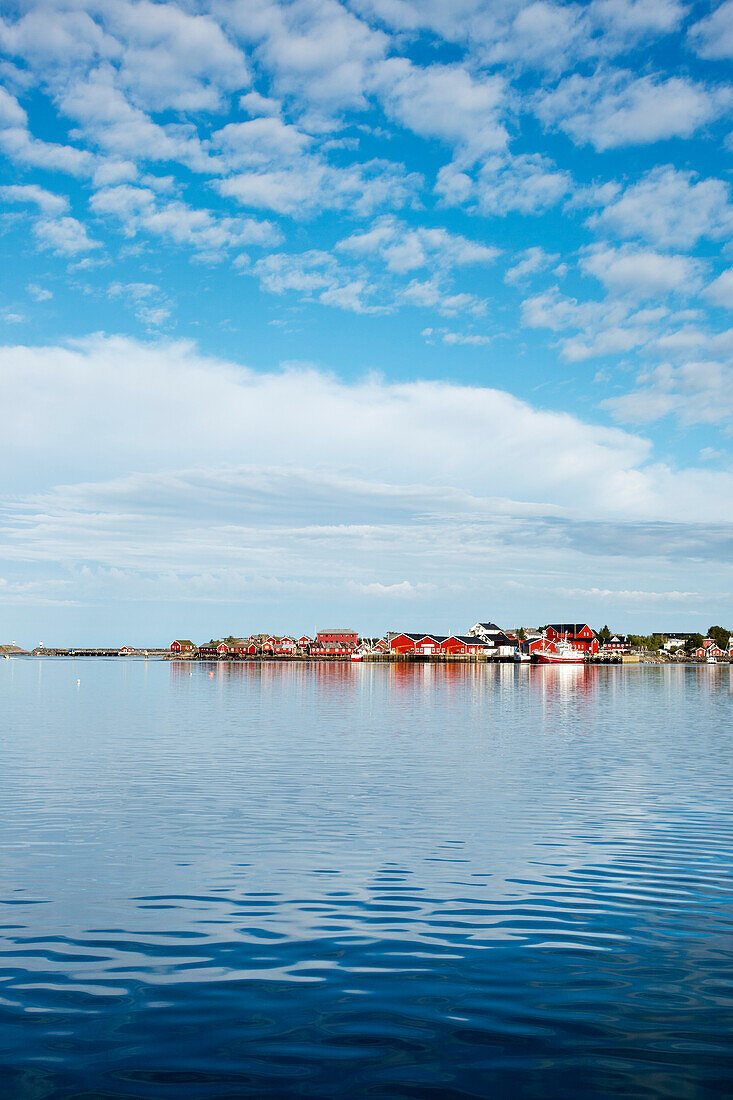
(377, 314)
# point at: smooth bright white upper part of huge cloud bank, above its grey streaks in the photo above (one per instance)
(93, 390)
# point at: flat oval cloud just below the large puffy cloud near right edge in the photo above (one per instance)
(643, 273)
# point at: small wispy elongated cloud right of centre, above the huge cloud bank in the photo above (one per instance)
(404, 249)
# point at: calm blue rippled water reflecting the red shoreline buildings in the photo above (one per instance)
(365, 881)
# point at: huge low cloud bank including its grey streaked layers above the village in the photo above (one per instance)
(235, 527)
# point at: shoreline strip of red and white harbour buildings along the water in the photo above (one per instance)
(556, 643)
